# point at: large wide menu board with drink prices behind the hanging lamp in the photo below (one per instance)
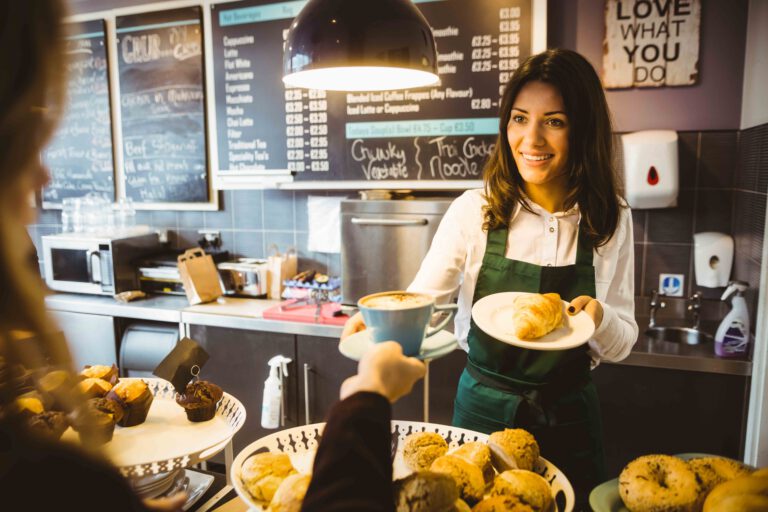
(445, 132)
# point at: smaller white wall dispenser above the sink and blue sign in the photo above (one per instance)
(712, 258)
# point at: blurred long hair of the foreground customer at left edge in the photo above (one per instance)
(32, 85)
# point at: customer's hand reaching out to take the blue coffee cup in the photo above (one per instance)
(385, 370)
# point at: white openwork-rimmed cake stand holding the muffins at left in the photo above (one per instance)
(167, 440)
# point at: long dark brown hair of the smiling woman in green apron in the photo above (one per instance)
(591, 175)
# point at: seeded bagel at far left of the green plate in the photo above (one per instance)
(656, 483)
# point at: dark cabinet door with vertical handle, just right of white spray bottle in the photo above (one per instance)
(326, 369)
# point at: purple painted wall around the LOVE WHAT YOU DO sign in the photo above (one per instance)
(712, 104)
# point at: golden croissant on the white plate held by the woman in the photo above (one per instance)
(535, 315)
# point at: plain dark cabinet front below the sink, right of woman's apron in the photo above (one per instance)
(652, 410)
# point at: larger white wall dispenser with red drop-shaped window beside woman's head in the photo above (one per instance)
(651, 169)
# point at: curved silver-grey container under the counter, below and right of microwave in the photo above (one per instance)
(144, 345)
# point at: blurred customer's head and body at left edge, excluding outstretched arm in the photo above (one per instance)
(37, 473)
